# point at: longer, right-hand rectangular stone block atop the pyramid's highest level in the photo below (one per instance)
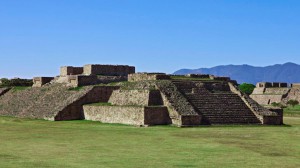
(119, 70)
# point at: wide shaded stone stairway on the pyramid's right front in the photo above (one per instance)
(217, 105)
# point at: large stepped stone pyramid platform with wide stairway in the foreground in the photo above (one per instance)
(116, 94)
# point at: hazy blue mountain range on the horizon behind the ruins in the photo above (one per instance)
(288, 72)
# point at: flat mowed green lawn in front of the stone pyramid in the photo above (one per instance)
(38, 143)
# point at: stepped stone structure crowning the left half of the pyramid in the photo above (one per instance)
(90, 74)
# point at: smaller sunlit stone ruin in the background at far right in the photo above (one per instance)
(266, 93)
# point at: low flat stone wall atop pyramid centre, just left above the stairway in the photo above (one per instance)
(147, 76)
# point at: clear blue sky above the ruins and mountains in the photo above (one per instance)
(39, 36)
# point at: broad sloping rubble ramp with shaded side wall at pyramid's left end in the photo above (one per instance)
(52, 102)
